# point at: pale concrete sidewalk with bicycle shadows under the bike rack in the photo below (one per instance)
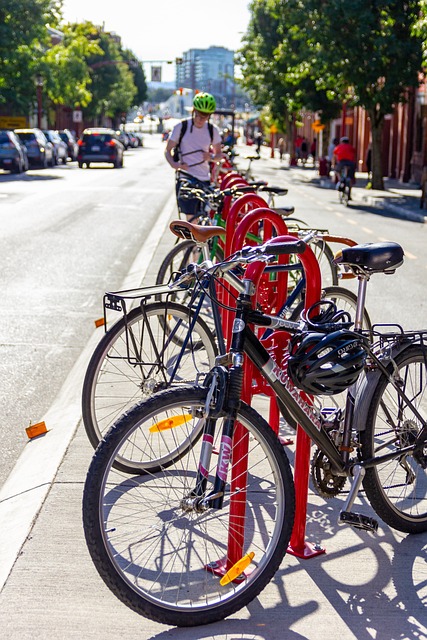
(363, 587)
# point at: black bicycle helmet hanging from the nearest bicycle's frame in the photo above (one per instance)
(324, 363)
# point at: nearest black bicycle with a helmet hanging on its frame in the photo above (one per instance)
(200, 538)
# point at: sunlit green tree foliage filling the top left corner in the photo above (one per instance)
(23, 39)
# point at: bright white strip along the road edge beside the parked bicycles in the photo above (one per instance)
(24, 492)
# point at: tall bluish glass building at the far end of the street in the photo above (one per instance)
(209, 70)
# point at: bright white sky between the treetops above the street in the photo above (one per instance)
(163, 30)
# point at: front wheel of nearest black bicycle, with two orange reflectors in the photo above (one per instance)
(158, 550)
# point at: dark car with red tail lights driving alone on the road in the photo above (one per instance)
(100, 145)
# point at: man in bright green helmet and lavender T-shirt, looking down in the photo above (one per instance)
(199, 144)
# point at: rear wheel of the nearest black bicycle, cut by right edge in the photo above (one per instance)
(397, 489)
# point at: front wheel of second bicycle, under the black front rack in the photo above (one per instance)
(113, 383)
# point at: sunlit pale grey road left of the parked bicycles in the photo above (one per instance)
(67, 235)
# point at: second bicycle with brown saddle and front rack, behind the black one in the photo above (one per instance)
(155, 345)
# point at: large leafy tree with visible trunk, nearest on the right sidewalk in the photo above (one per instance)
(369, 54)
